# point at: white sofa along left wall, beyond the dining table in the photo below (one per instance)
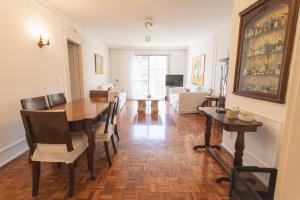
(112, 92)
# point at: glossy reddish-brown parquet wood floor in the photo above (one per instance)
(155, 160)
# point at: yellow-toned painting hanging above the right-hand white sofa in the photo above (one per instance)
(198, 69)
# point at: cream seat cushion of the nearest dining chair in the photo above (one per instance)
(59, 152)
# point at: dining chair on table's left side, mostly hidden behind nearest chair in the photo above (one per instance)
(35, 103)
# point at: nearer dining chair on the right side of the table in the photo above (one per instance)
(104, 132)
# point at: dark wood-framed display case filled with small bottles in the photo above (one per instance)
(265, 46)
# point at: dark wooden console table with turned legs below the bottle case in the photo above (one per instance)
(232, 125)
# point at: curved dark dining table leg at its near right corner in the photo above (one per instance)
(88, 128)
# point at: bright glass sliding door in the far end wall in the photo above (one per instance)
(149, 76)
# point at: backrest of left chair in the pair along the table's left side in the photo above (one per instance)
(35, 103)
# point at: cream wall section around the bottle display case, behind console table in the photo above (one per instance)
(262, 147)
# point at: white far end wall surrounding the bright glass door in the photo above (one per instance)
(121, 63)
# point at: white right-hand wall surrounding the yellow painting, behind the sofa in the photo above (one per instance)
(215, 46)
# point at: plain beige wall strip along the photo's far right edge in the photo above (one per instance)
(288, 185)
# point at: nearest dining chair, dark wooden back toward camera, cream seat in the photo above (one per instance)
(52, 142)
